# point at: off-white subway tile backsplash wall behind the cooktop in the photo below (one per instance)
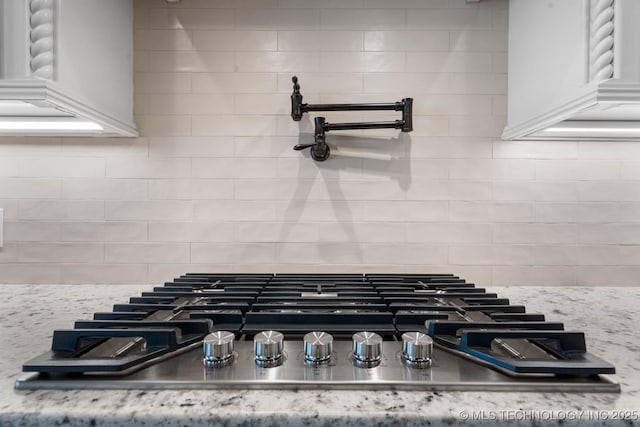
(212, 184)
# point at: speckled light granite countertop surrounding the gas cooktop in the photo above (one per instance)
(609, 316)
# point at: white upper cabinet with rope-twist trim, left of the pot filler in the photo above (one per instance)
(66, 67)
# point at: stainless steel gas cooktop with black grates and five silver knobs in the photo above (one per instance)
(374, 331)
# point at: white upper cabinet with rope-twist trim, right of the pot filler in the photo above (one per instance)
(574, 69)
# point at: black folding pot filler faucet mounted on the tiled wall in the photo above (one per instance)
(319, 149)
